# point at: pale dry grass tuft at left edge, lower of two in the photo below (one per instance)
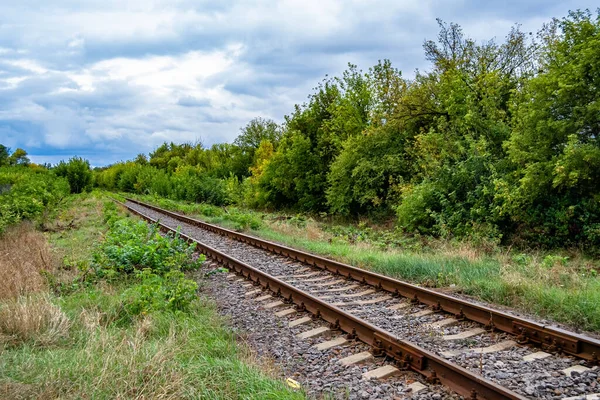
(32, 319)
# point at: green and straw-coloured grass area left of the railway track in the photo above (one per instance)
(73, 343)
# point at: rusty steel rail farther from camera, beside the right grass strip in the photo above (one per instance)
(553, 339)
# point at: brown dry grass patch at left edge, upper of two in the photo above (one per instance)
(24, 254)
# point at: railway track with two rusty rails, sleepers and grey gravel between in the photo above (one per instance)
(476, 351)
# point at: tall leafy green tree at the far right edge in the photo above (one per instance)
(555, 145)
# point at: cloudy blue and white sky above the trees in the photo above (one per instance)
(107, 79)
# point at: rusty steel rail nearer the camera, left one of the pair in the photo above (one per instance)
(406, 355)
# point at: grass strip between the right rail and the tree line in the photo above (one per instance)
(563, 287)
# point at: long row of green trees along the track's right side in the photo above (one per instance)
(496, 140)
